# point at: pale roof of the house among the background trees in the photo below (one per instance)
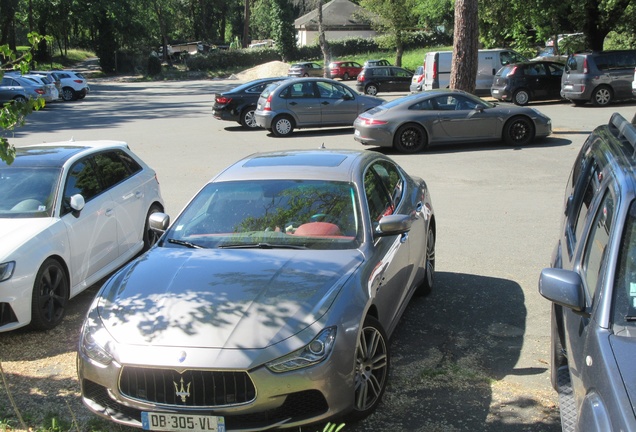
(335, 14)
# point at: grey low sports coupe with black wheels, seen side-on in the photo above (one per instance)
(411, 123)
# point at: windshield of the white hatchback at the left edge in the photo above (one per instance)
(27, 192)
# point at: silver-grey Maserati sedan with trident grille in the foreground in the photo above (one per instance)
(269, 302)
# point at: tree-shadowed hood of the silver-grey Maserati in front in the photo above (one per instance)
(222, 298)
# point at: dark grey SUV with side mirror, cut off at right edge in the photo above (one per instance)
(592, 286)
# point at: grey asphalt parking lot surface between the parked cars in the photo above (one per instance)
(473, 355)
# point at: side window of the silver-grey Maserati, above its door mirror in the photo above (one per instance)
(383, 187)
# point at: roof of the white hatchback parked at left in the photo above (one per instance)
(57, 153)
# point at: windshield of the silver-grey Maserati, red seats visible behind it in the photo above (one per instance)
(270, 214)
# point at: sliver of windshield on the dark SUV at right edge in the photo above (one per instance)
(624, 305)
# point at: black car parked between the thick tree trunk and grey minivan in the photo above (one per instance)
(524, 82)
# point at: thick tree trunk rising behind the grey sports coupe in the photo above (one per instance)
(465, 46)
